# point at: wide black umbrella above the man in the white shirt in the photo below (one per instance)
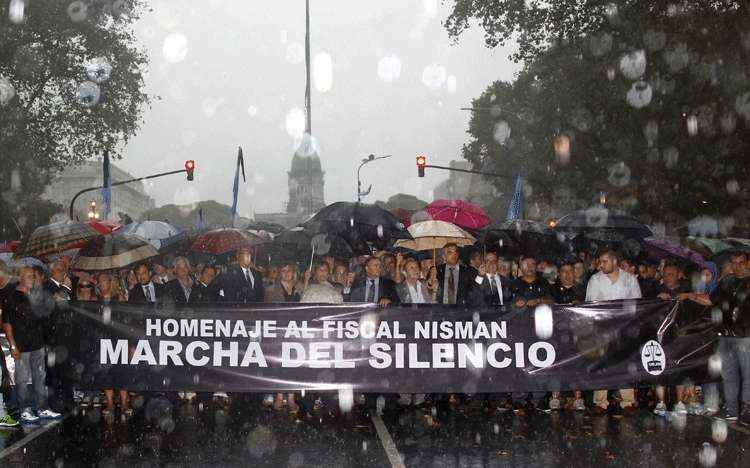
(602, 224)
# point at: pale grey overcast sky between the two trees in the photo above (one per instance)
(387, 80)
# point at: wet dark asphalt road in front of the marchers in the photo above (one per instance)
(164, 435)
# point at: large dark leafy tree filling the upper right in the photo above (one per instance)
(646, 97)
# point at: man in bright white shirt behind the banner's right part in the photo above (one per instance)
(610, 284)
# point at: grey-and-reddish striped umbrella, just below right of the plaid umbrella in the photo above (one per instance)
(113, 251)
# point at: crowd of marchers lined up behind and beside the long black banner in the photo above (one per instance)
(29, 299)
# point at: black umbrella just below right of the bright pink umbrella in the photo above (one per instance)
(519, 236)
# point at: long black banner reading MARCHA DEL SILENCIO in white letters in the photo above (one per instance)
(419, 349)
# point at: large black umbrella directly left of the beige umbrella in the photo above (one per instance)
(358, 224)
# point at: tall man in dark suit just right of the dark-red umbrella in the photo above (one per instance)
(241, 282)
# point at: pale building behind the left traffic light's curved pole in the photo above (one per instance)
(130, 199)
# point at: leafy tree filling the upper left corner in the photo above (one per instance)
(71, 88)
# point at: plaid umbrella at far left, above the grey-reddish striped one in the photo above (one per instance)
(58, 237)
